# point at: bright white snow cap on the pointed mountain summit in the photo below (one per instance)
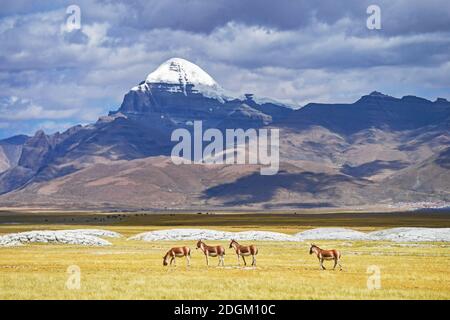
(182, 72)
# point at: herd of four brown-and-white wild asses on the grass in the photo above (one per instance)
(242, 251)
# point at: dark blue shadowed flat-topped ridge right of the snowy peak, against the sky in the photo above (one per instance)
(375, 110)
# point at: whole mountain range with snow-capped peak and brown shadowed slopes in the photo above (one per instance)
(378, 151)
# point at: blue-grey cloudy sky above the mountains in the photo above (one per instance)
(300, 51)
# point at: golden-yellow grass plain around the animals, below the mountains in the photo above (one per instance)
(133, 269)
